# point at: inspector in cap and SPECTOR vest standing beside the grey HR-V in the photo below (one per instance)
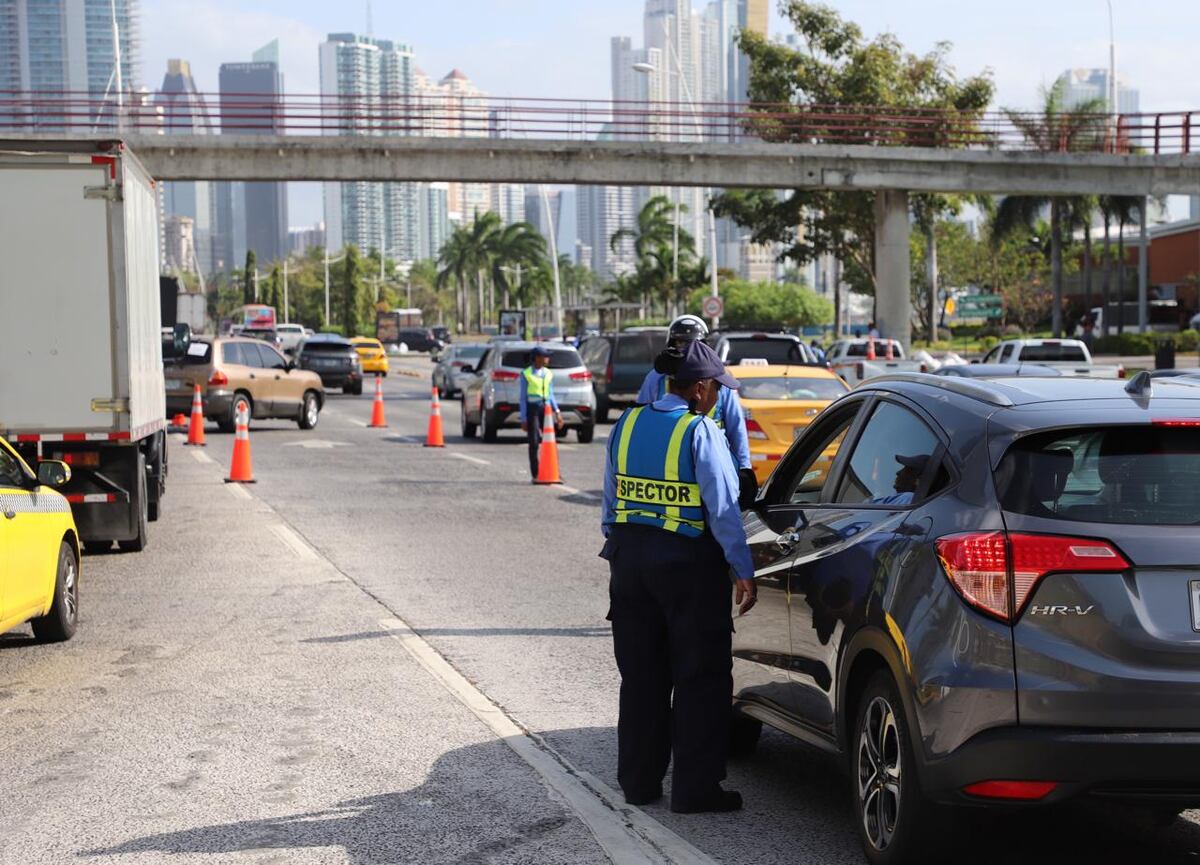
(675, 533)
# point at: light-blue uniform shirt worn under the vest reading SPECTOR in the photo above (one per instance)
(719, 489)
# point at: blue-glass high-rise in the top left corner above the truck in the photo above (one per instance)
(57, 46)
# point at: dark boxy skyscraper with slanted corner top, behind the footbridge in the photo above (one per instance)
(253, 215)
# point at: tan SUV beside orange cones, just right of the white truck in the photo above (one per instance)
(232, 370)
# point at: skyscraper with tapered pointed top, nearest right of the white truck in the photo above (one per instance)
(185, 113)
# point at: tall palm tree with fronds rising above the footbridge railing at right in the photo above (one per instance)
(1055, 129)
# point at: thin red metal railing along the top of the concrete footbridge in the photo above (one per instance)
(485, 117)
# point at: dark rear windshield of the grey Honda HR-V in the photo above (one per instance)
(1147, 476)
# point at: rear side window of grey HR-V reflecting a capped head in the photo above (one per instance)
(891, 460)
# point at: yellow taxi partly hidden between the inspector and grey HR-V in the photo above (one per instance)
(779, 404)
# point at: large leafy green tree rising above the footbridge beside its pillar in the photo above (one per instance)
(799, 91)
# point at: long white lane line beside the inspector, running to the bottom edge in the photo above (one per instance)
(626, 833)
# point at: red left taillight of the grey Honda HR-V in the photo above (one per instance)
(997, 573)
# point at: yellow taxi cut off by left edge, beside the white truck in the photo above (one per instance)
(40, 560)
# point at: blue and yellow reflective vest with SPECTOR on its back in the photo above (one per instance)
(657, 472)
